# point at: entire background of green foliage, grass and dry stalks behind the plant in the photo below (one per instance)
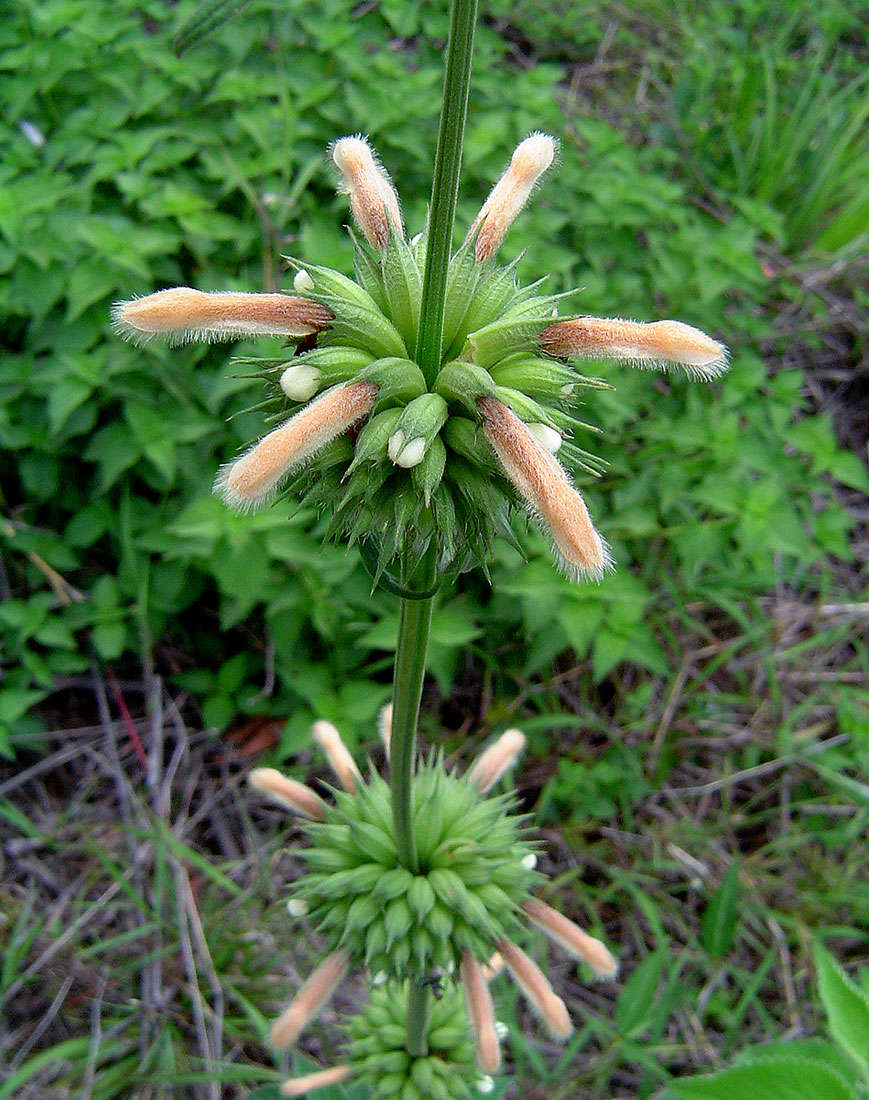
(699, 724)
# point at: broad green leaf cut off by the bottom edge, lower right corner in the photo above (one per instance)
(779, 1079)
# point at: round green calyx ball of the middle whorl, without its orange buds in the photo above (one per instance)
(476, 873)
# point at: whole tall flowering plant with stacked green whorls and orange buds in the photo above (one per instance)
(428, 400)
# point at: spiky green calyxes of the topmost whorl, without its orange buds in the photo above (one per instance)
(421, 468)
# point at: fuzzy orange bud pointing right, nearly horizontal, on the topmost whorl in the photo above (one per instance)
(657, 345)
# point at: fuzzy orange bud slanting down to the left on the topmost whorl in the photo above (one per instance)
(250, 481)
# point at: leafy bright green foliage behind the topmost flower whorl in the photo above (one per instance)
(126, 169)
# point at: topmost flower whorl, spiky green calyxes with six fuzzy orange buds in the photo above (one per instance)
(399, 459)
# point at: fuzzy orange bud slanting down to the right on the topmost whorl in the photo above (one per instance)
(544, 485)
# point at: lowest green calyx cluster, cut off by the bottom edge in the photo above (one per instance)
(378, 1048)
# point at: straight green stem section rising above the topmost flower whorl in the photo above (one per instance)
(445, 191)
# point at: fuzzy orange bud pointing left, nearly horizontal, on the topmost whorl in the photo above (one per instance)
(182, 314)
